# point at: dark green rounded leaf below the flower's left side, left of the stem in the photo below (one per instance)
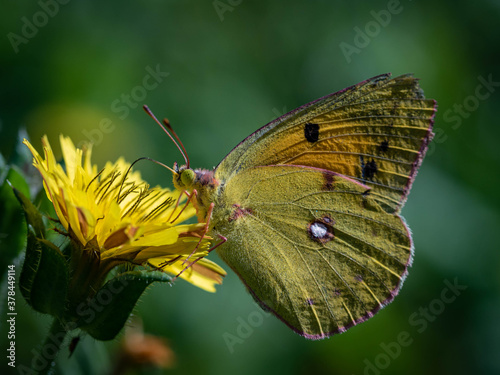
(44, 277)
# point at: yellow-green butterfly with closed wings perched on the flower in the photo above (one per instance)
(307, 207)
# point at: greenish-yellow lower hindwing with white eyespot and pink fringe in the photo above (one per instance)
(312, 246)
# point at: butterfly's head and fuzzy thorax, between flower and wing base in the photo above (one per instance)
(201, 180)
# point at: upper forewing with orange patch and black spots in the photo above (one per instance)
(375, 132)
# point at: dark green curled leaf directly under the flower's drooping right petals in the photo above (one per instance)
(105, 315)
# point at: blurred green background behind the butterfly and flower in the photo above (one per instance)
(229, 75)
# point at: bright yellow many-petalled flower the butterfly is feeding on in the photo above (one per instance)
(114, 217)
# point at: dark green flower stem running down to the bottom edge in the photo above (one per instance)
(45, 362)
